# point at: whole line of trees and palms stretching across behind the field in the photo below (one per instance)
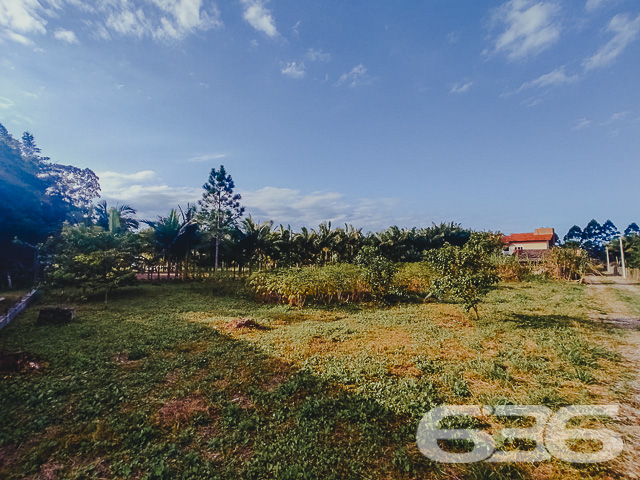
(101, 247)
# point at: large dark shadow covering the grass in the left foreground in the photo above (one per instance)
(196, 403)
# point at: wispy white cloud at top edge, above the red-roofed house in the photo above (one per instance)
(530, 27)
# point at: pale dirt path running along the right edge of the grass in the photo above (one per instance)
(610, 309)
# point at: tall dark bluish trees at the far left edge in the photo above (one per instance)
(37, 196)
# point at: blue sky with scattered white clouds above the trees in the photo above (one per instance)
(502, 115)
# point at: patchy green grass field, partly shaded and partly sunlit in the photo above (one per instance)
(156, 385)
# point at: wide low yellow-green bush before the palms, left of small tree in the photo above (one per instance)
(296, 286)
